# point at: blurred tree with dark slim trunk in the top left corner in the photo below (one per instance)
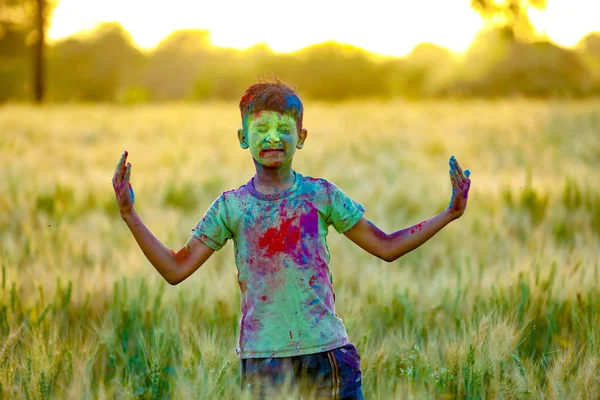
(23, 25)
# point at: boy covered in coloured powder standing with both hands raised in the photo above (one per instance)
(289, 331)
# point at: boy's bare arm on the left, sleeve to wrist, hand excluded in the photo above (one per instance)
(173, 267)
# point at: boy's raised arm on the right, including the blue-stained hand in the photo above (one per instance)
(391, 247)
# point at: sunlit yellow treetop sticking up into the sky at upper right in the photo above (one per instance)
(511, 15)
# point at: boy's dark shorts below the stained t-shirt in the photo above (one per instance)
(333, 374)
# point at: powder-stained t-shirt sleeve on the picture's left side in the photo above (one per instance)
(213, 229)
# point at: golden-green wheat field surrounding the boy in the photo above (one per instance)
(502, 303)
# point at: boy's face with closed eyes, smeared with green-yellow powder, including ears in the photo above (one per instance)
(272, 138)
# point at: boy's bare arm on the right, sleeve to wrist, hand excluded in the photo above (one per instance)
(391, 247)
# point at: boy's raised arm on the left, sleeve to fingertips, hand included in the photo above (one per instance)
(174, 267)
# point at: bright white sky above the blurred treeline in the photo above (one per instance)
(386, 27)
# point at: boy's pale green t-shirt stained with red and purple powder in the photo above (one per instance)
(287, 298)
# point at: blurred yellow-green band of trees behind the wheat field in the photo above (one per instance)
(508, 58)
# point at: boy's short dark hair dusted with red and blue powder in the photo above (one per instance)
(271, 96)
